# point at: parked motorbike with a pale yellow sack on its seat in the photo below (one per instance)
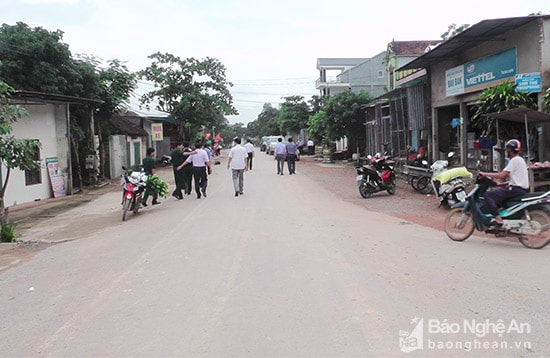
(449, 184)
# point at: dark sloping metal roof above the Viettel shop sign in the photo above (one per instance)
(484, 31)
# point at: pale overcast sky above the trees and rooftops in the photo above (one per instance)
(269, 48)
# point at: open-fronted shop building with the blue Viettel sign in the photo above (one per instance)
(459, 69)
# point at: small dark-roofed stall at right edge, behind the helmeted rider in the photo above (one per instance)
(539, 172)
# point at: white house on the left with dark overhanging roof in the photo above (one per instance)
(48, 122)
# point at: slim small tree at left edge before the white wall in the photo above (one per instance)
(14, 153)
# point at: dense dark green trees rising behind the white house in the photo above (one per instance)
(37, 60)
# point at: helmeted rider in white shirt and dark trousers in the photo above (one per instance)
(518, 184)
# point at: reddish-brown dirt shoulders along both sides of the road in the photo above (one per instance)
(337, 177)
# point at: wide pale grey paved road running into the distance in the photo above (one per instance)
(288, 269)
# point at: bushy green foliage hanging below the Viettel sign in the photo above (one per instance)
(498, 99)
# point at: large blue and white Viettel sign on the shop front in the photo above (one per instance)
(482, 73)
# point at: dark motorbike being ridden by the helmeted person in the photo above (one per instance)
(525, 217)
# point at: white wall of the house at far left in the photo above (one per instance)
(43, 125)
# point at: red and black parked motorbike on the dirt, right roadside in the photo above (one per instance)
(376, 176)
